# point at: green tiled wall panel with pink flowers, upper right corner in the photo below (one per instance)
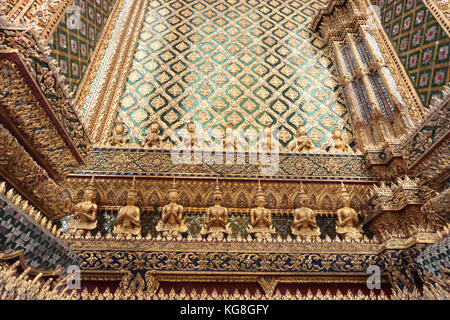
(421, 43)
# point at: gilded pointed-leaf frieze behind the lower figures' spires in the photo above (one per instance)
(236, 193)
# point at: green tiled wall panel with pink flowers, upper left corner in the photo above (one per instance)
(73, 44)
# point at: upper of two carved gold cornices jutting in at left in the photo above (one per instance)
(36, 107)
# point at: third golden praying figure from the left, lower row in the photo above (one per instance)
(172, 222)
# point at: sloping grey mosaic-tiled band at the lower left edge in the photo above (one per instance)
(41, 249)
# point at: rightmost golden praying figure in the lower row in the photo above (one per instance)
(347, 219)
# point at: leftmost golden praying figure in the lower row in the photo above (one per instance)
(85, 216)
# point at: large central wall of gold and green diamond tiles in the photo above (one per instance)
(243, 62)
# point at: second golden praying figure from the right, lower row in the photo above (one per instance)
(305, 225)
